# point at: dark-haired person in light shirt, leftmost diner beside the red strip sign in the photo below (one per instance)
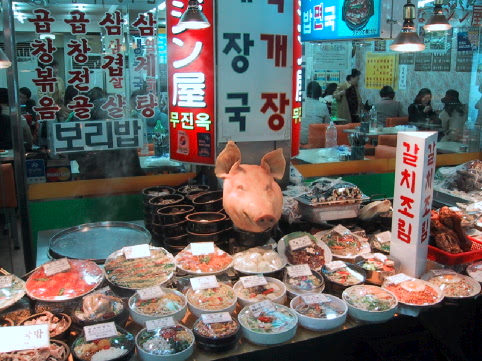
(313, 111)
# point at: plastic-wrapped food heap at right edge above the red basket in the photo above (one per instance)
(466, 178)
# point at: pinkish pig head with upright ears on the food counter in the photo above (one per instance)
(251, 197)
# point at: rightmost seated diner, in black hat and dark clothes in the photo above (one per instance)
(453, 116)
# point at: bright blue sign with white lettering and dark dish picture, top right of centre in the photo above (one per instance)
(340, 19)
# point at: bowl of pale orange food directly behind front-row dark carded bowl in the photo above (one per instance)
(211, 300)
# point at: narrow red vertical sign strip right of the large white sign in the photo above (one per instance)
(297, 82)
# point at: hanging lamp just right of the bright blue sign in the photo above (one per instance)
(408, 40)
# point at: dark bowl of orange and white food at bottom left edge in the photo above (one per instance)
(116, 348)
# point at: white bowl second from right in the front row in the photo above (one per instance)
(321, 324)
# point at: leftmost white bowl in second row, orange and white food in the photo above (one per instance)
(172, 304)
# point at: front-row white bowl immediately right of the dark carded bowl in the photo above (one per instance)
(261, 338)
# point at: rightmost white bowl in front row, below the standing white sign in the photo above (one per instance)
(369, 316)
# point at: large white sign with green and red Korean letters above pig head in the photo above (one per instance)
(254, 64)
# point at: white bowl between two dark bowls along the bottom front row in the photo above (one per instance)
(173, 343)
